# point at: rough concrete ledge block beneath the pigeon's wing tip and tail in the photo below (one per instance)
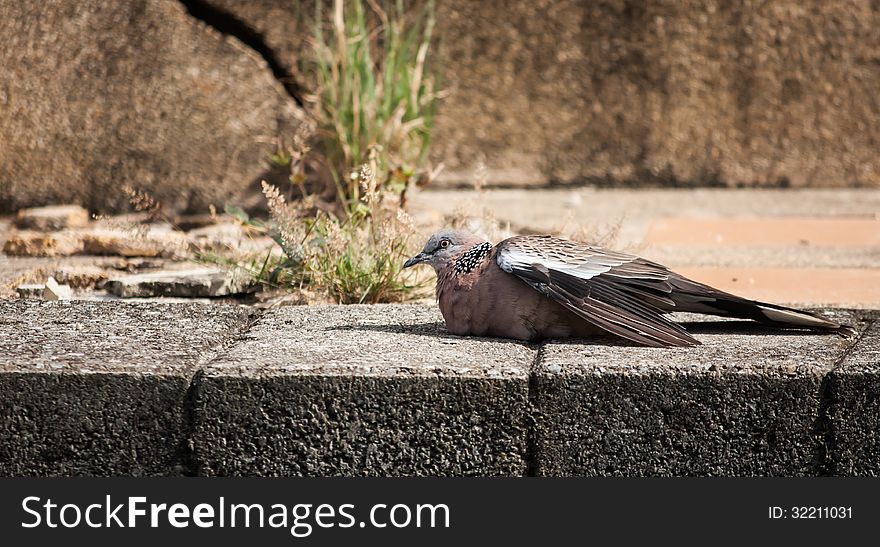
(746, 402)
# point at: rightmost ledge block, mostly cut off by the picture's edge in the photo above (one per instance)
(855, 411)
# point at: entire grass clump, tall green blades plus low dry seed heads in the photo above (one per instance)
(373, 108)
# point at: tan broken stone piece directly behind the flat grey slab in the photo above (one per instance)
(148, 242)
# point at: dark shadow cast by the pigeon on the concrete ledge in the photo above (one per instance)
(437, 329)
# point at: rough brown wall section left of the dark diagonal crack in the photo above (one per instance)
(95, 96)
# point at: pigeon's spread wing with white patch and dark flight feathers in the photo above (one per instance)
(617, 292)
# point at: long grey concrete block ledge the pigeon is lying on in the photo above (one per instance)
(103, 388)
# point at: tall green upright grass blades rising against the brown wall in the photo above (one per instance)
(375, 96)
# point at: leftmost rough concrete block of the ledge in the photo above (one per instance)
(99, 388)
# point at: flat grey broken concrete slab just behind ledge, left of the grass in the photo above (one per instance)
(194, 283)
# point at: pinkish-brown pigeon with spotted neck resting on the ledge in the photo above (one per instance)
(535, 287)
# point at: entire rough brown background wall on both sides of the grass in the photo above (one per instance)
(186, 102)
